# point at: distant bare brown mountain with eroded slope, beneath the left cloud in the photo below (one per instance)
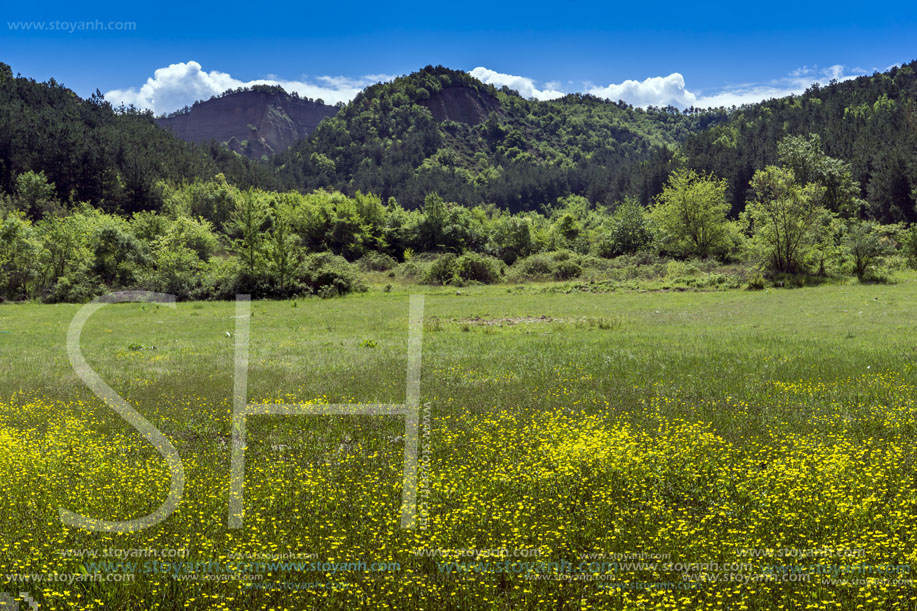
(256, 122)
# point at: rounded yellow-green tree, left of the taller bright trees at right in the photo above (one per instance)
(690, 214)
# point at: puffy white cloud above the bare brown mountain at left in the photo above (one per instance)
(182, 84)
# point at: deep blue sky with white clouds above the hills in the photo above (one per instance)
(671, 52)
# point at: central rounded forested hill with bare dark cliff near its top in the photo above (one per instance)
(441, 130)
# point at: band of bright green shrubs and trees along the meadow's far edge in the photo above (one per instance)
(212, 239)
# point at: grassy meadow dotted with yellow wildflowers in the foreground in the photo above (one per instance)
(626, 450)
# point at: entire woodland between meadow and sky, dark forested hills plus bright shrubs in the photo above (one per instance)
(436, 177)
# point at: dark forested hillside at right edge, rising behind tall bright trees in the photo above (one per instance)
(869, 122)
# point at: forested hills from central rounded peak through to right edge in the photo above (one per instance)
(440, 130)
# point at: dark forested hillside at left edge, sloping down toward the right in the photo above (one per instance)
(93, 153)
